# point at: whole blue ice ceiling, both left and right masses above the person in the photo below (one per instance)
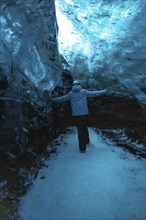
(103, 42)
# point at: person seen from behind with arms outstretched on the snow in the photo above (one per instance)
(78, 98)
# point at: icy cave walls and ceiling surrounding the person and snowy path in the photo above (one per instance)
(47, 44)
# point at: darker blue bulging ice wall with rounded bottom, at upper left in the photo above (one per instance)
(29, 45)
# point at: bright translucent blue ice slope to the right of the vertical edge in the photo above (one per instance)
(104, 43)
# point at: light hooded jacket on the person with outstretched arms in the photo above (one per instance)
(78, 99)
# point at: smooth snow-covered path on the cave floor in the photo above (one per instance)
(105, 183)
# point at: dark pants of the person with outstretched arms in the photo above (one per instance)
(83, 134)
